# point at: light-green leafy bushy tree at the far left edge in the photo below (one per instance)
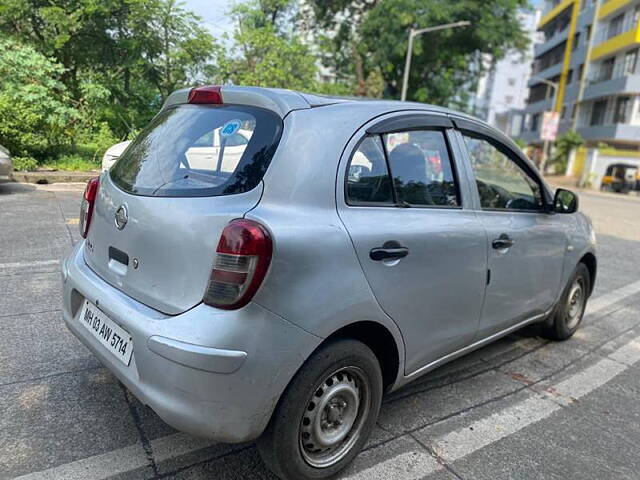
(37, 115)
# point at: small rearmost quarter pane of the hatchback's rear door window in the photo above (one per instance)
(368, 180)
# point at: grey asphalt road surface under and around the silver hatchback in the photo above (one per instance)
(520, 408)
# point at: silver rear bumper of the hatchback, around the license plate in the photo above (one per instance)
(208, 372)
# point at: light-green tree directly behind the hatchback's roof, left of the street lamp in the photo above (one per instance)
(266, 50)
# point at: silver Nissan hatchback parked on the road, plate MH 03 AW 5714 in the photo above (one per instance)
(349, 248)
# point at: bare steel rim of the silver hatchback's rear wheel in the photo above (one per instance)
(334, 417)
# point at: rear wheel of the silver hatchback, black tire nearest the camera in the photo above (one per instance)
(347, 364)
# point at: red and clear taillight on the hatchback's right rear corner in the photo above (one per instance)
(242, 260)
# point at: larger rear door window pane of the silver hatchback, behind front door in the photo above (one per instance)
(421, 168)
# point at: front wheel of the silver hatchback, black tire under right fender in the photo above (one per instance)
(567, 316)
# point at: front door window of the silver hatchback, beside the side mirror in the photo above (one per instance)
(501, 183)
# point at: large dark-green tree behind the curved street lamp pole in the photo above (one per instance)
(362, 37)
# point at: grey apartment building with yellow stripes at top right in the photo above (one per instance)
(589, 50)
